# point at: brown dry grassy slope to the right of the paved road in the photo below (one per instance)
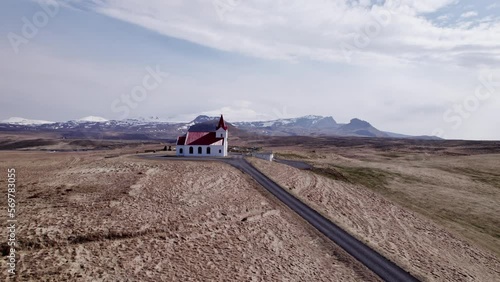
(436, 215)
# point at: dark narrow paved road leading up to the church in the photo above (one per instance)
(381, 266)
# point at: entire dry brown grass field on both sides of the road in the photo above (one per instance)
(108, 215)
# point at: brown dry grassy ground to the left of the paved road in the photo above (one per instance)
(104, 216)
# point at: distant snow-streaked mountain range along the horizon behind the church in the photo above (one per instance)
(156, 128)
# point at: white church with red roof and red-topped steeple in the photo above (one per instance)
(204, 143)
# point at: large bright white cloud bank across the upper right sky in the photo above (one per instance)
(316, 29)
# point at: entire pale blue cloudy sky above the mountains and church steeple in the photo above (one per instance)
(429, 67)
